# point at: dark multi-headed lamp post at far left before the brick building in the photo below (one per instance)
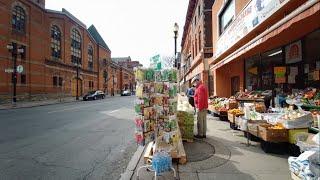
(14, 53)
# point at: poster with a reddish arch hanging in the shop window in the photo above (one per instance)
(293, 53)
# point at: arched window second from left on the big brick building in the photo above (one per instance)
(55, 42)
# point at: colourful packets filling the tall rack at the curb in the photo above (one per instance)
(156, 108)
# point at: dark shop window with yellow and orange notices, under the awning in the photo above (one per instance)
(293, 66)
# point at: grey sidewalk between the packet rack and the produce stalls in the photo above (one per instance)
(224, 155)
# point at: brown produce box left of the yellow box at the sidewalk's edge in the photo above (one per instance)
(272, 135)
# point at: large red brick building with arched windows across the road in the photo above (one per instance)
(55, 45)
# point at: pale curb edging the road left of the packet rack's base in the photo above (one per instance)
(132, 165)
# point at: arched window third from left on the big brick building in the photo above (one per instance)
(75, 47)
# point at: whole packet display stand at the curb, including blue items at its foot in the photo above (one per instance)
(156, 120)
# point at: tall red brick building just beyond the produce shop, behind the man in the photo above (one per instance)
(196, 45)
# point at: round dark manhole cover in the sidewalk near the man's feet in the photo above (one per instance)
(198, 150)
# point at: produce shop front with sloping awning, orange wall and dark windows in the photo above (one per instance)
(283, 58)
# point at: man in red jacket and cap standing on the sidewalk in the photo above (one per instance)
(201, 103)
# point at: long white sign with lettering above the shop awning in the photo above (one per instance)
(256, 12)
